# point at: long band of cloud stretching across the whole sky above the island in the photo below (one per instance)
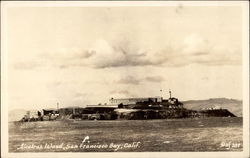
(101, 54)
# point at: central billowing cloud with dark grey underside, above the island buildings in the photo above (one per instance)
(107, 56)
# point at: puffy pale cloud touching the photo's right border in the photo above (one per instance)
(199, 50)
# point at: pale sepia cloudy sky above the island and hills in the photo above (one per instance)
(85, 55)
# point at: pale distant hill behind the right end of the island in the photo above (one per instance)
(233, 105)
